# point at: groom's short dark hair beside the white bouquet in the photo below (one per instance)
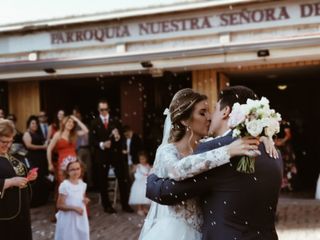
(231, 95)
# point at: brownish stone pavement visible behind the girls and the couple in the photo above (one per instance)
(299, 219)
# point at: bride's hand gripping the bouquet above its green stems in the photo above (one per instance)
(244, 146)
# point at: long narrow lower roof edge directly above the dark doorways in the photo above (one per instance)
(162, 55)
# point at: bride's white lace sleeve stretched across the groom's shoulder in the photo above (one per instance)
(178, 169)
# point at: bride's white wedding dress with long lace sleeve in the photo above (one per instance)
(179, 222)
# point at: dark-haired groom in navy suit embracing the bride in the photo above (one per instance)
(235, 205)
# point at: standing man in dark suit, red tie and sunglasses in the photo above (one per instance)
(106, 140)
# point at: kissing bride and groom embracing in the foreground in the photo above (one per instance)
(195, 187)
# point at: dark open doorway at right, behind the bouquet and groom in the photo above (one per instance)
(294, 93)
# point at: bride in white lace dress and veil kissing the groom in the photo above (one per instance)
(190, 119)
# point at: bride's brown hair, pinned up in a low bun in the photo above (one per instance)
(181, 108)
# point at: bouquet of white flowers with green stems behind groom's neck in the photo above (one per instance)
(256, 119)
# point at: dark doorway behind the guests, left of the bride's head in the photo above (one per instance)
(137, 100)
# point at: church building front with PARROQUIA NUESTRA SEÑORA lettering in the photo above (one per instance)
(137, 59)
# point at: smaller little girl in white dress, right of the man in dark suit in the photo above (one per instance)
(138, 189)
